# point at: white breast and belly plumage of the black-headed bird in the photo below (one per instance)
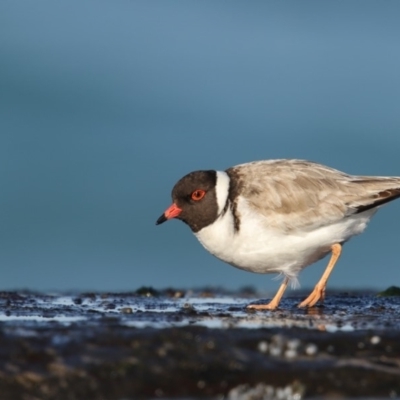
(260, 249)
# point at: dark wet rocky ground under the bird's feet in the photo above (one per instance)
(202, 344)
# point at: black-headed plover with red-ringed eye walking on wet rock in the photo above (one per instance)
(278, 216)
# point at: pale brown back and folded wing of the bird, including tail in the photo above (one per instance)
(296, 194)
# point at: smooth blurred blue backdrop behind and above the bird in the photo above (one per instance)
(104, 105)
